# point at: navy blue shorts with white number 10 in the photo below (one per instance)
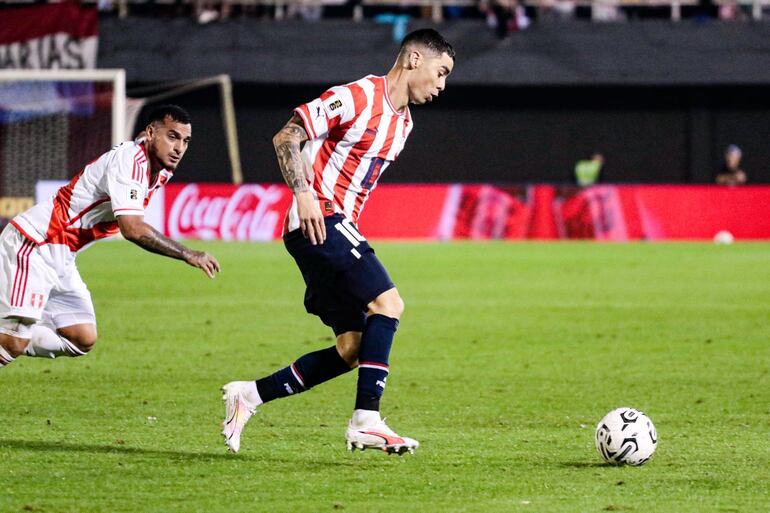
(343, 275)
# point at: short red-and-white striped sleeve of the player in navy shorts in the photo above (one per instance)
(335, 107)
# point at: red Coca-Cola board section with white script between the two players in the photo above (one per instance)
(226, 212)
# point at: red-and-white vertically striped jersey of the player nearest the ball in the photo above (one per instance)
(355, 133)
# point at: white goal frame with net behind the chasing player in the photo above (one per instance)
(53, 121)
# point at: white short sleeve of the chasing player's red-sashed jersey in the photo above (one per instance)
(126, 182)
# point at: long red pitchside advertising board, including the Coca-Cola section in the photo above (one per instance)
(479, 211)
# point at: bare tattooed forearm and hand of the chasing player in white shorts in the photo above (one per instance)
(134, 228)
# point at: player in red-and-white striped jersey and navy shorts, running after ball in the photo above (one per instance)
(331, 153)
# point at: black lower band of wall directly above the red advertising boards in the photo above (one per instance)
(518, 134)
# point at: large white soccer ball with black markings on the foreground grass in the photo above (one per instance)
(626, 436)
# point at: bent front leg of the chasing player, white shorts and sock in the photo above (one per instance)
(68, 326)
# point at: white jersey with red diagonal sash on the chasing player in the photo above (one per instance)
(85, 210)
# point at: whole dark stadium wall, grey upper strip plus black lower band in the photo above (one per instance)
(660, 100)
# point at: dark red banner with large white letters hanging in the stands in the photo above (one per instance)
(51, 36)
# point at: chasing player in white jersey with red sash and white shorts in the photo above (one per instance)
(45, 307)
